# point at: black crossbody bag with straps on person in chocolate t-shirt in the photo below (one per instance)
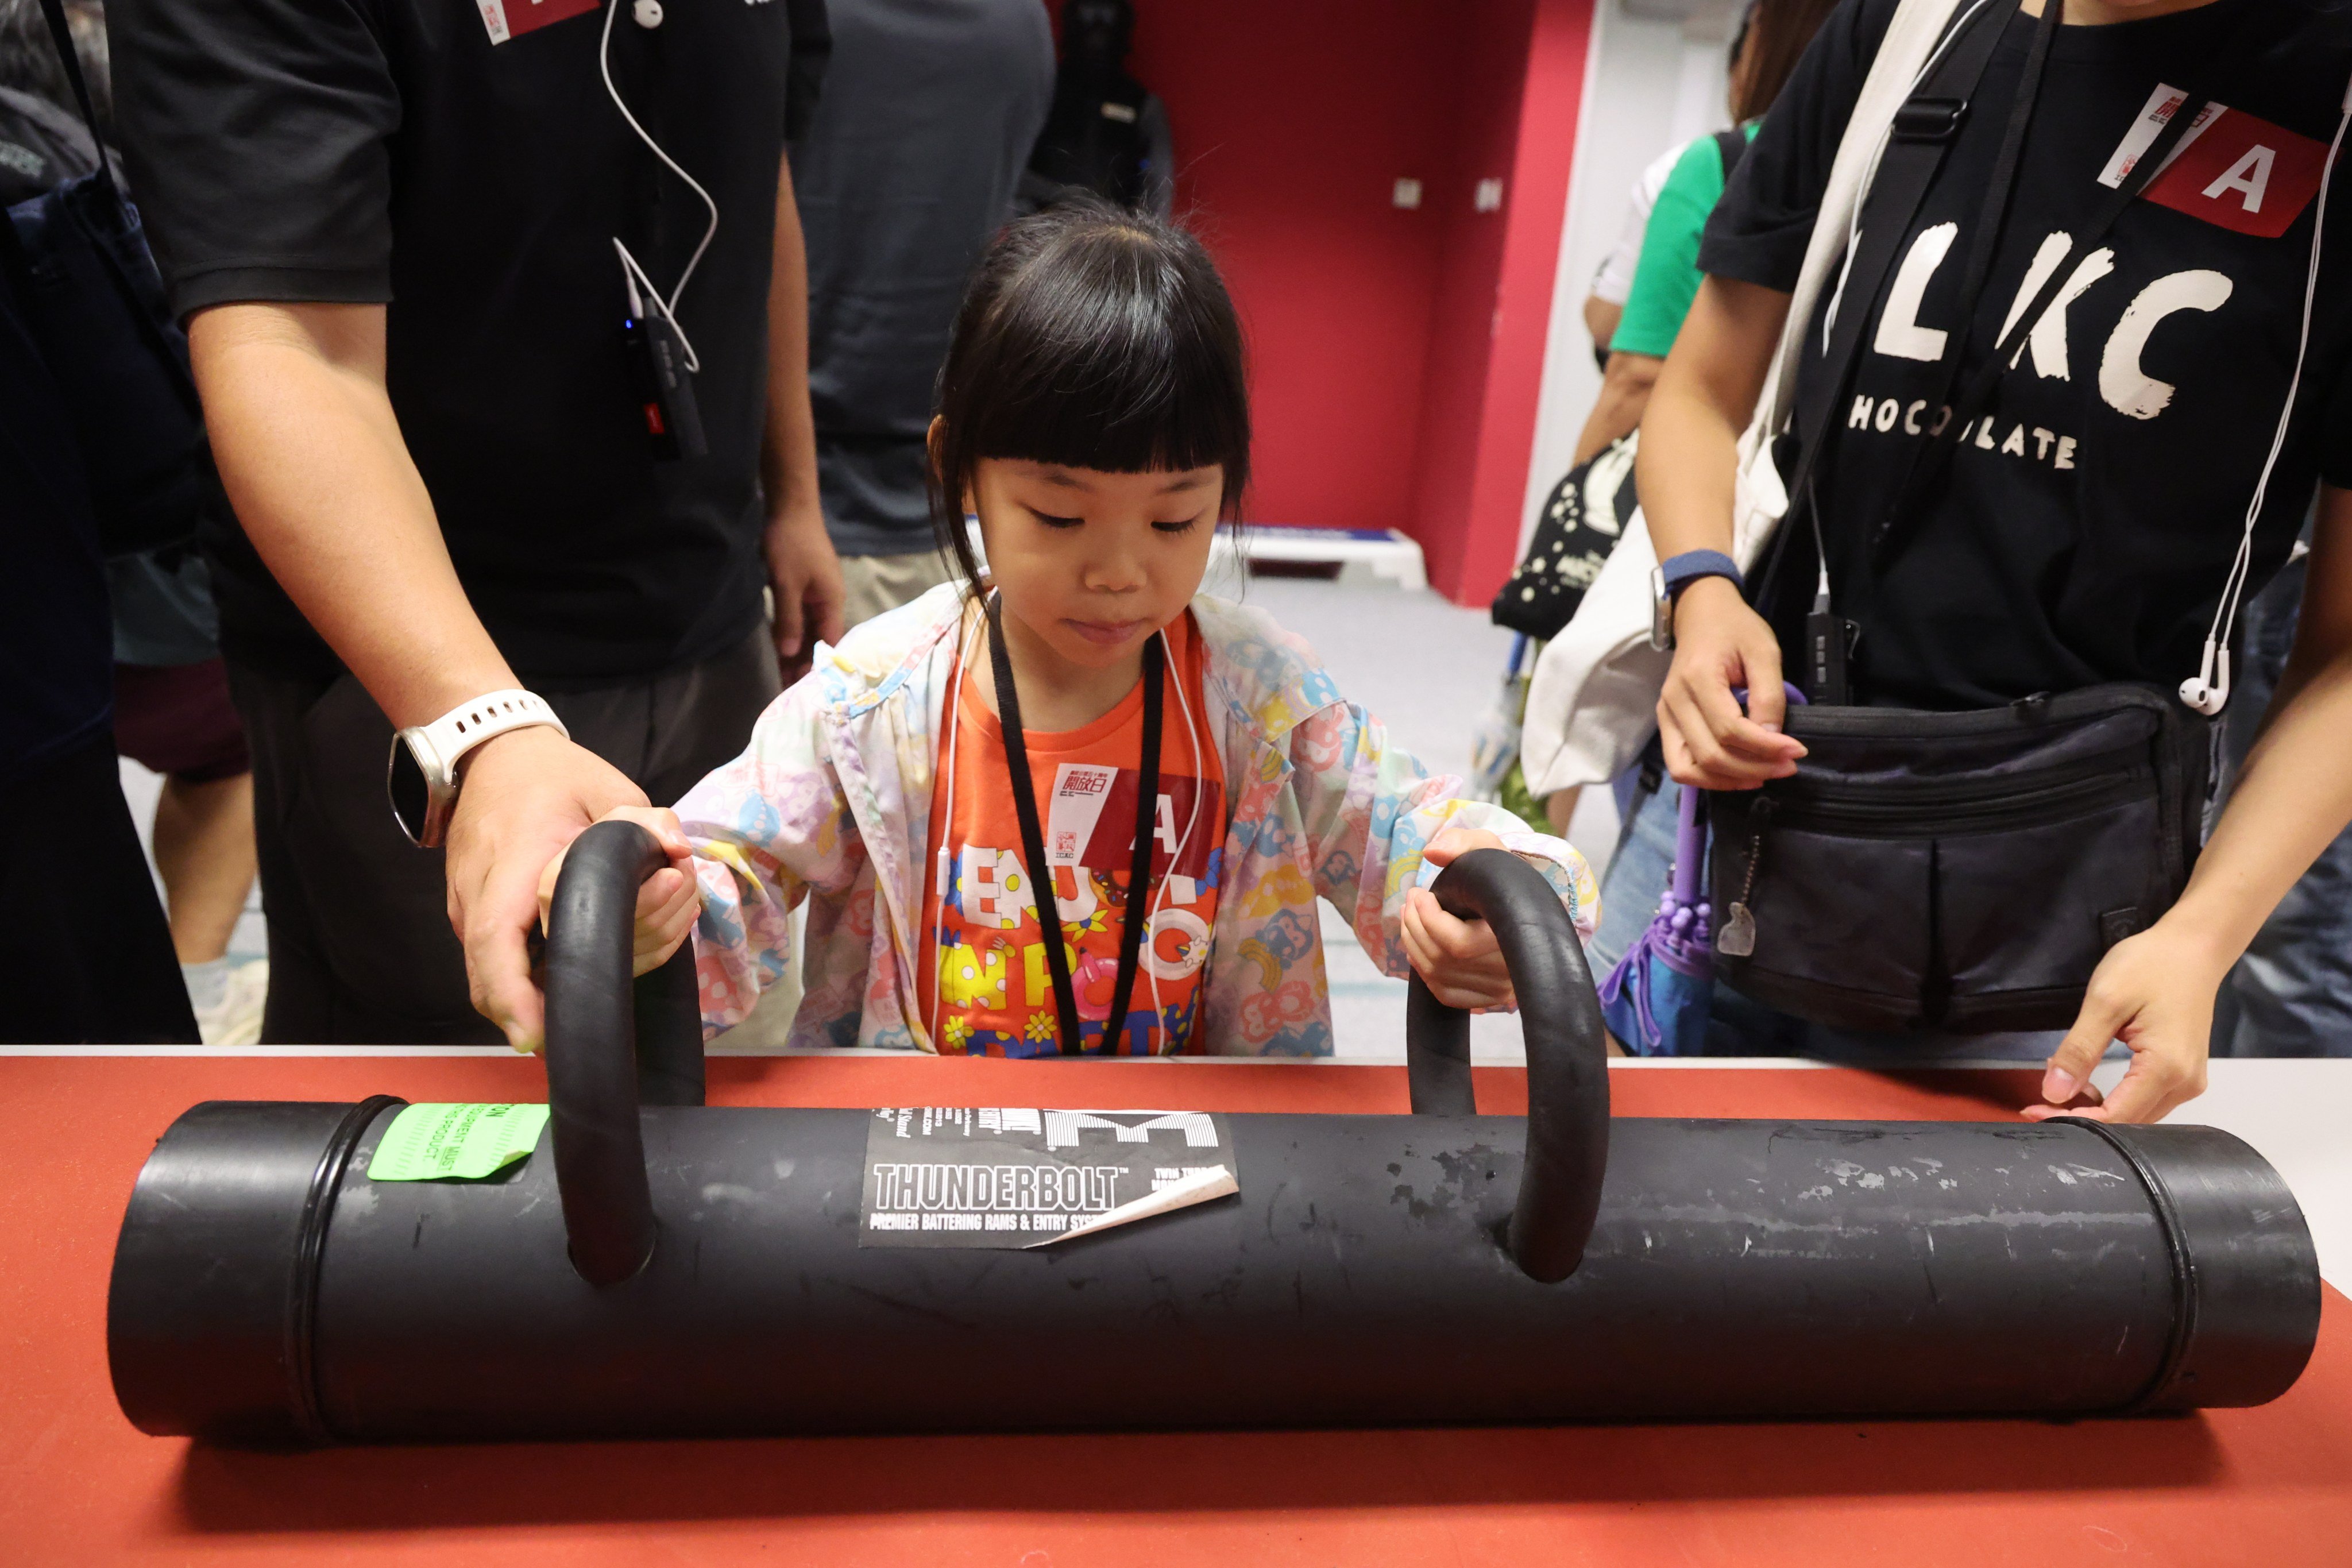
(1951, 871)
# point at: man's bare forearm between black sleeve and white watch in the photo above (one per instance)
(326, 488)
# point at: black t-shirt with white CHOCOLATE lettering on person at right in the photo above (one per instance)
(2085, 532)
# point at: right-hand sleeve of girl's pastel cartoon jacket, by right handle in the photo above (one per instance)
(1370, 810)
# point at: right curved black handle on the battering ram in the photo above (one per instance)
(1568, 1054)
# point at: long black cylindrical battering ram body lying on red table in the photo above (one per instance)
(1737, 1271)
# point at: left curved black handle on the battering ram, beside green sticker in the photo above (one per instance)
(613, 1047)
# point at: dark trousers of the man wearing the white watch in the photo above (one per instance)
(361, 944)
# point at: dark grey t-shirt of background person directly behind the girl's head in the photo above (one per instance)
(909, 168)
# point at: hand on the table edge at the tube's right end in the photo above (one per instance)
(2156, 993)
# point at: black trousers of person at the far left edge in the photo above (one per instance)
(88, 956)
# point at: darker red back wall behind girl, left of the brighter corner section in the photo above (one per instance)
(1292, 123)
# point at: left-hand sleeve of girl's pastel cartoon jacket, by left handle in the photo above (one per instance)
(766, 829)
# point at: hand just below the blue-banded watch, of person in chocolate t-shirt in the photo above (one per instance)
(1720, 643)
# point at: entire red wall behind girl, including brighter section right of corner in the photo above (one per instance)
(1396, 354)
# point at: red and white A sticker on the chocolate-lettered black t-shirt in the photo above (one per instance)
(2231, 168)
